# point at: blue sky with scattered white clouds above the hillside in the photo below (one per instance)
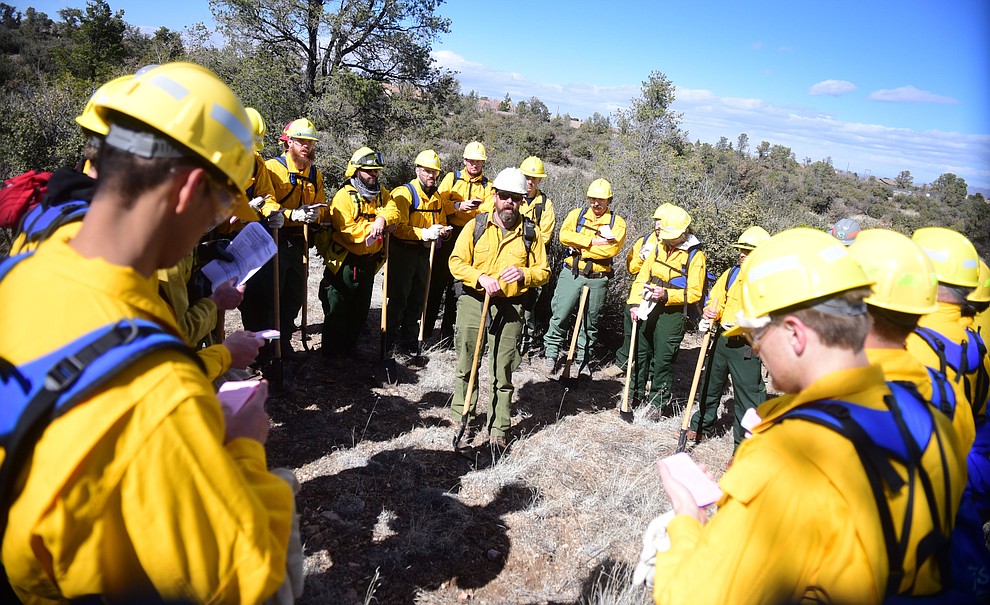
(879, 86)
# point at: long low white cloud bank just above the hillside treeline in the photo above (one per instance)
(882, 150)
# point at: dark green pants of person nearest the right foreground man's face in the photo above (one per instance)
(733, 357)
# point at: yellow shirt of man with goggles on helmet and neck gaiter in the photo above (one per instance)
(352, 217)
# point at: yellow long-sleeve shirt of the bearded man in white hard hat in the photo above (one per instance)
(494, 252)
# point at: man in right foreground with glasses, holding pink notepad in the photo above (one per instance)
(797, 520)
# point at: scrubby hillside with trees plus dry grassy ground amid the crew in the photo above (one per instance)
(390, 513)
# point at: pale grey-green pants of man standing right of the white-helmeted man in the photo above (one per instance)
(566, 299)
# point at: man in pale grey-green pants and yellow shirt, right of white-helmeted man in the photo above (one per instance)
(593, 236)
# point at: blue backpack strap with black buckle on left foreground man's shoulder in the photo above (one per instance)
(38, 392)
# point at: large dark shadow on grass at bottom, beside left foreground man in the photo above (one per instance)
(394, 520)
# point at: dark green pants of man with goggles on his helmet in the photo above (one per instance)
(346, 298)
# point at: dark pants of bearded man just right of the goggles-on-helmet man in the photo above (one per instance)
(409, 266)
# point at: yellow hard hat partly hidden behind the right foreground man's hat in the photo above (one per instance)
(904, 276)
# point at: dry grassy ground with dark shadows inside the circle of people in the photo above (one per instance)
(391, 514)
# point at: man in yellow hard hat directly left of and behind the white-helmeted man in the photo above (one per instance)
(462, 193)
